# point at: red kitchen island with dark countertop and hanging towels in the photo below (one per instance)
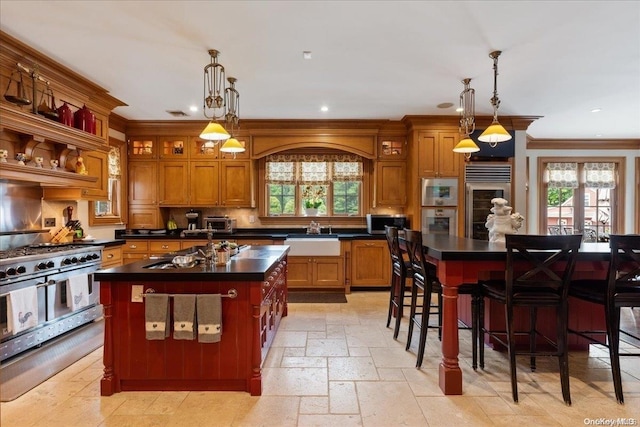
(254, 289)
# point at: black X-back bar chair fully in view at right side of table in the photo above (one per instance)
(538, 274)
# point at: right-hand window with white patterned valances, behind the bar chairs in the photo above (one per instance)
(593, 183)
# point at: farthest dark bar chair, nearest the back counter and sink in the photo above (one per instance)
(400, 271)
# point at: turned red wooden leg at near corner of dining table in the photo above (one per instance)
(450, 374)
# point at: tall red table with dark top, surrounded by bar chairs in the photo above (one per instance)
(462, 260)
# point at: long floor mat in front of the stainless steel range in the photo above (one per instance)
(22, 373)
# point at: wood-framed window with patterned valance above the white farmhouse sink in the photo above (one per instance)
(298, 185)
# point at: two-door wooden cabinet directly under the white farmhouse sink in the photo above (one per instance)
(315, 272)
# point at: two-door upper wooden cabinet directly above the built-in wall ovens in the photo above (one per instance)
(435, 154)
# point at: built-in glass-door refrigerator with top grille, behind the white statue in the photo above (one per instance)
(484, 182)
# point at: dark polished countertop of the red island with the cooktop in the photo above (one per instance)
(251, 264)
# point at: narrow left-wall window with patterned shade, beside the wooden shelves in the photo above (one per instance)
(110, 211)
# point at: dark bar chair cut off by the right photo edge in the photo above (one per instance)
(621, 288)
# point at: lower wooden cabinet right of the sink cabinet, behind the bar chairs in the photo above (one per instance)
(370, 263)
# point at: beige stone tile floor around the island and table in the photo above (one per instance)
(337, 364)
